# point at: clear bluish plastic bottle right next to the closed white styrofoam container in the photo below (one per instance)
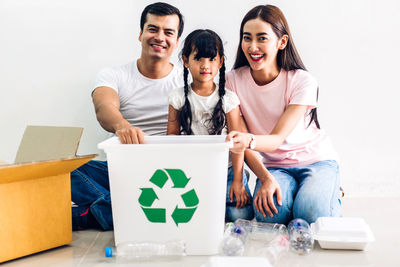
(300, 236)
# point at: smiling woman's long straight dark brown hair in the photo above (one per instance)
(288, 58)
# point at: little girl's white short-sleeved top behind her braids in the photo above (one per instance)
(202, 107)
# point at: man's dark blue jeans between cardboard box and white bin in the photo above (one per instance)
(90, 190)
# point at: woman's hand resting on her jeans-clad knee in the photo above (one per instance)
(264, 200)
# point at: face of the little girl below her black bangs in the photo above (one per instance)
(203, 70)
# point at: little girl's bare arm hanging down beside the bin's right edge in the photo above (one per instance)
(237, 189)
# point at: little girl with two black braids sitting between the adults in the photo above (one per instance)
(206, 108)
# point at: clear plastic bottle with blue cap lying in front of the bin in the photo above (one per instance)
(145, 250)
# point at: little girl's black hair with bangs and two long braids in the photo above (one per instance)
(206, 44)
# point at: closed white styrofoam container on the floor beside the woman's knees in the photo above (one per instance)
(342, 233)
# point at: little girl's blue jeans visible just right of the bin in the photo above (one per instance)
(232, 213)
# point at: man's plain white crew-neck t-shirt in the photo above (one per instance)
(143, 101)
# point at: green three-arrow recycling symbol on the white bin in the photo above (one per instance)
(179, 180)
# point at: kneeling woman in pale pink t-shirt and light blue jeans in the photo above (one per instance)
(278, 102)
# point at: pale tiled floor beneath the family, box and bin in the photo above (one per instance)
(382, 214)
